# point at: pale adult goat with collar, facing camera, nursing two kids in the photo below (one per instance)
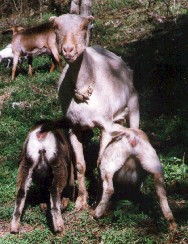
(95, 90)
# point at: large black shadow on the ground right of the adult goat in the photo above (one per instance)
(161, 78)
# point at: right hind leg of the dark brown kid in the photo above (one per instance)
(60, 176)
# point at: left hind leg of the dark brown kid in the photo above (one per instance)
(23, 183)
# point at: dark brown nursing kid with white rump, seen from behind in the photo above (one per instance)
(46, 158)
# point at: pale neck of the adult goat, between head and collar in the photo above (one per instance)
(81, 72)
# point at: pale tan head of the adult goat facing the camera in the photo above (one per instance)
(71, 31)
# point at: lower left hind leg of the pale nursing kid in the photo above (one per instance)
(108, 190)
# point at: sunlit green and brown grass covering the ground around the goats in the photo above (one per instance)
(157, 52)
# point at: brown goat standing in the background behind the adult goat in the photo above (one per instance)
(35, 41)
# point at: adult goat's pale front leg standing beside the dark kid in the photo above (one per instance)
(76, 142)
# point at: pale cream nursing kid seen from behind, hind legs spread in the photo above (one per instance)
(118, 160)
